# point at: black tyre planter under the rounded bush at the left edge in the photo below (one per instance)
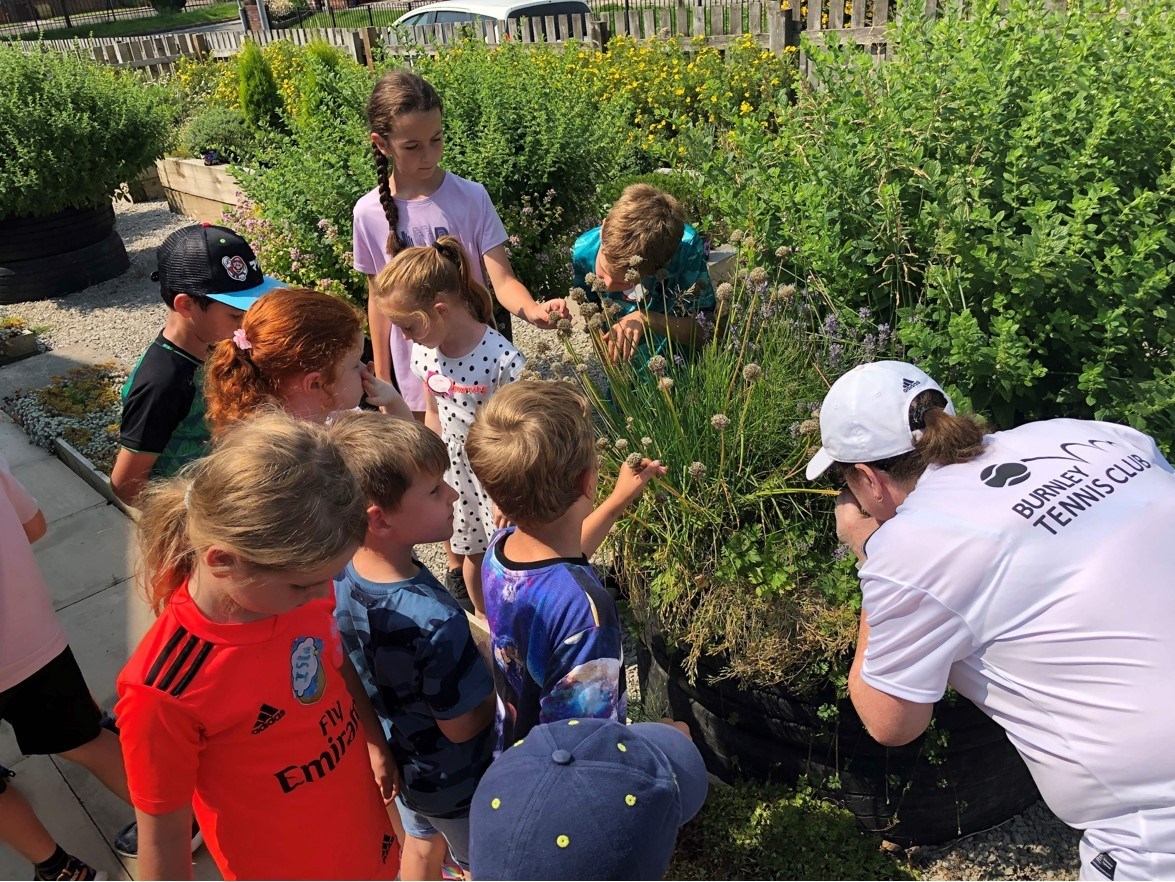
(44, 258)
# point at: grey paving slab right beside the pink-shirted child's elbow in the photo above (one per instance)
(86, 553)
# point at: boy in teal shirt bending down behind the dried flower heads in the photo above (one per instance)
(652, 265)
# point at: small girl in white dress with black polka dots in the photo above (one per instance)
(431, 294)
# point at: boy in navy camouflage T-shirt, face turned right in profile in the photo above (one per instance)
(411, 641)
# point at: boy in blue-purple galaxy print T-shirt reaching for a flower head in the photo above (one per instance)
(555, 630)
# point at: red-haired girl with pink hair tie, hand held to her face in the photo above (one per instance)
(298, 351)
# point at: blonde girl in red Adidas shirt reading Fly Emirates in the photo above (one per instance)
(240, 704)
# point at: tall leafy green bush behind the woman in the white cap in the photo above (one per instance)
(1003, 192)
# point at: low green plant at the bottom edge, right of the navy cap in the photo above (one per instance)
(758, 831)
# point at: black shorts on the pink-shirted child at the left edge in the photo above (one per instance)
(52, 711)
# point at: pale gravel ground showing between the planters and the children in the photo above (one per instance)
(124, 315)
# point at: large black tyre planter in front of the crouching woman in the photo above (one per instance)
(918, 795)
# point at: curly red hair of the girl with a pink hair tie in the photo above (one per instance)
(288, 333)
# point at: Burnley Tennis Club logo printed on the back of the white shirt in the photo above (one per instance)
(1057, 503)
